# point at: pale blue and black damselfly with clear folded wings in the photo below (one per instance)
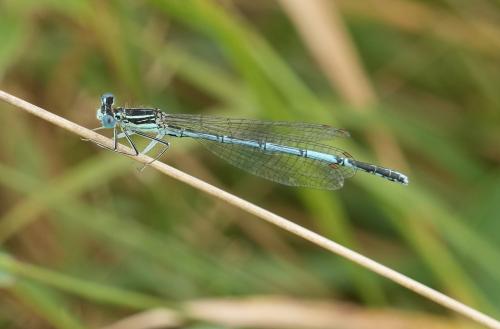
(284, 152)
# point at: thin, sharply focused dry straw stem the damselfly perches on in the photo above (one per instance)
(268, 216)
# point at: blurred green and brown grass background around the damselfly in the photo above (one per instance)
(87, 240)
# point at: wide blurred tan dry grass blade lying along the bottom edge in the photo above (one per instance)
(267, 312)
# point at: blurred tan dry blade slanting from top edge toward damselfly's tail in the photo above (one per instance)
(323, 31)
